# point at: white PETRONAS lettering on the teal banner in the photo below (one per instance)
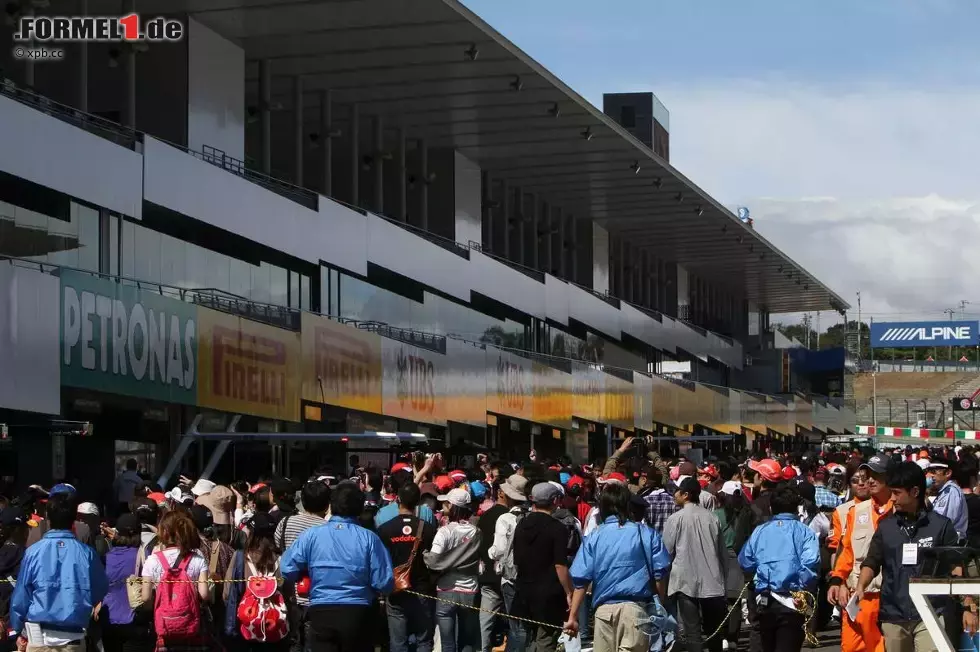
(109, 336)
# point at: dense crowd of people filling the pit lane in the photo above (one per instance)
(631, 554)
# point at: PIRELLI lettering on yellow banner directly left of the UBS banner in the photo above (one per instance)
(345, 365)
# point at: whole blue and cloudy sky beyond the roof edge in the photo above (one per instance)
(850, 129)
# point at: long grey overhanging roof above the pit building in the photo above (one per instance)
(413, 62)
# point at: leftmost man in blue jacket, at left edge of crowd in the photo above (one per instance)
(60, 582)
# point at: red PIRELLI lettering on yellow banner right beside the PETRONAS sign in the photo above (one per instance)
(248, 367)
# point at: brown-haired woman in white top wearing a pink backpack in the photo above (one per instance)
(175, 582)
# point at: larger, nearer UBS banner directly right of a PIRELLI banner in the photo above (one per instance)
(414, 383)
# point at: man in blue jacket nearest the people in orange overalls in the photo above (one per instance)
(784, 555)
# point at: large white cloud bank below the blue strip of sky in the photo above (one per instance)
(870, 188)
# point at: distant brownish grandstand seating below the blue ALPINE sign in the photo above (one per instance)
(901, 397)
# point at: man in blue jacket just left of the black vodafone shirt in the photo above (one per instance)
(348, 567)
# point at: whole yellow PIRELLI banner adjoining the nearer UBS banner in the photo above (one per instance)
(341, 365)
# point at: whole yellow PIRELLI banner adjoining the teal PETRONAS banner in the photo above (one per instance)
(247, 367)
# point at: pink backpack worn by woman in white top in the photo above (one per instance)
(177, 609)
